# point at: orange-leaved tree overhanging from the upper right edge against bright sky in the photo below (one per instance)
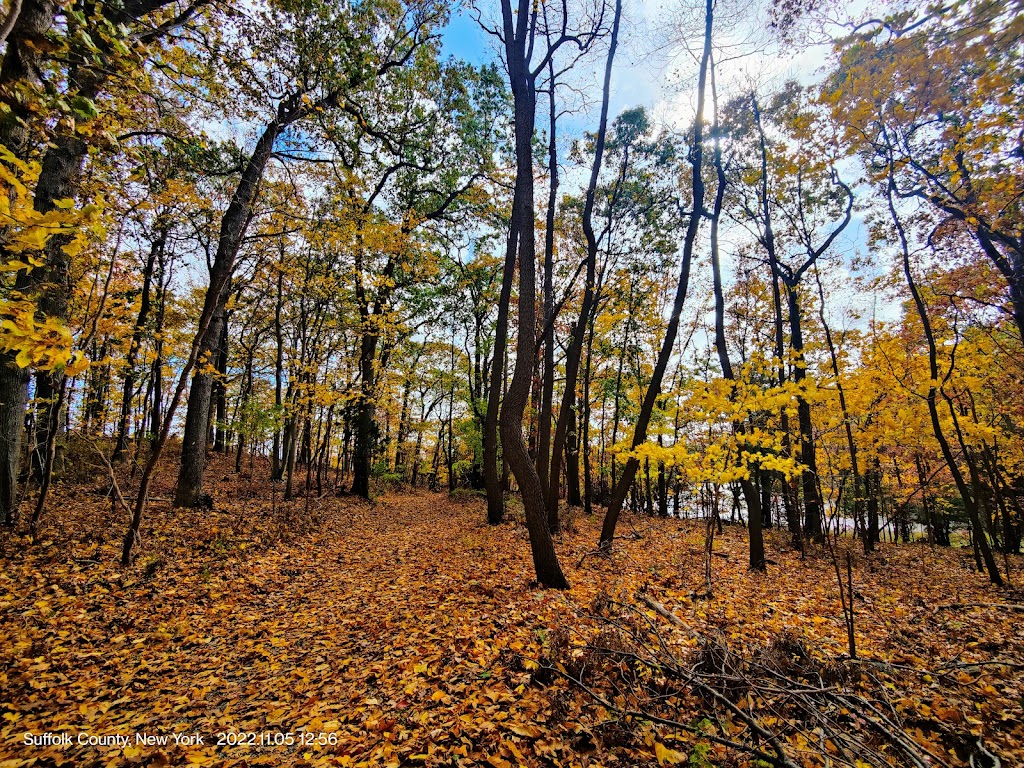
(940, 93)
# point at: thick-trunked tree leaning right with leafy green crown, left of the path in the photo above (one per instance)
(315, 63)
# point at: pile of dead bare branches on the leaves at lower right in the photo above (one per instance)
(779, 704)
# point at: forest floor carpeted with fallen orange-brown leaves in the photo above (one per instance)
(408, 632)
